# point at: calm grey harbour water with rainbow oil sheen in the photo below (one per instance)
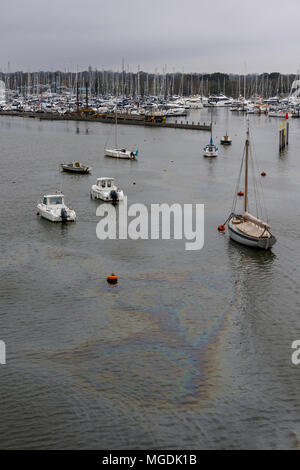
(192, 350)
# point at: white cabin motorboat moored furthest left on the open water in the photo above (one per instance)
(53, 208)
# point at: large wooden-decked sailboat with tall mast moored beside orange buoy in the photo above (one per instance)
(246, 228)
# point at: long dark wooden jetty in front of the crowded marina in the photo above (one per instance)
(136, 120)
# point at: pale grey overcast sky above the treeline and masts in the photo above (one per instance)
(199, 36)
